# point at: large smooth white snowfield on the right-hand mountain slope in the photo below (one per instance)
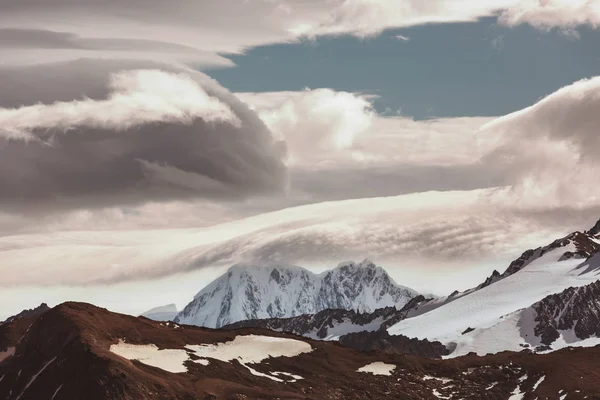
(498, 312)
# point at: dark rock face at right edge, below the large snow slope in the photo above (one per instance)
(576, 310)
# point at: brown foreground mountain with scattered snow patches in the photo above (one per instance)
(79, 351)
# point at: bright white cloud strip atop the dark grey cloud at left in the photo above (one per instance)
(137, 97)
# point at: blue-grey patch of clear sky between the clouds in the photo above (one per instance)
(447, 70)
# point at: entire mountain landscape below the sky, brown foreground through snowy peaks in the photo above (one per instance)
(530, 332)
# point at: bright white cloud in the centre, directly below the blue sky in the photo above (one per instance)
(328, 129)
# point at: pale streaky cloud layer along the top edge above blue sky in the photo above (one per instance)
(36, 31)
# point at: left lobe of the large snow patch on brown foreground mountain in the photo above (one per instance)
(149, 354)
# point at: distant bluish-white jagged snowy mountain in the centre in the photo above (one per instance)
(256, 292)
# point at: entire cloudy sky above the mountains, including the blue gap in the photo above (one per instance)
(146, 147)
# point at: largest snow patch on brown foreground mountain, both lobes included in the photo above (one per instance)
(246, 349)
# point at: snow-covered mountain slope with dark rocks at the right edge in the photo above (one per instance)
(531, 305)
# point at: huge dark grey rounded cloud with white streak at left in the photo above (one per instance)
(101, 133)
